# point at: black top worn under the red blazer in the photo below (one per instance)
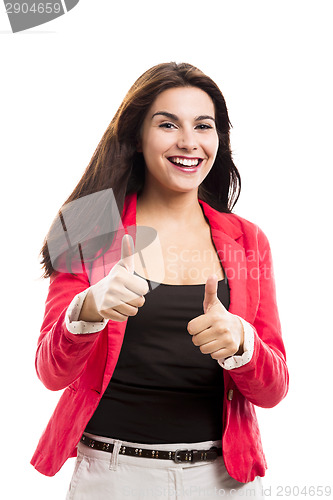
(164, 390)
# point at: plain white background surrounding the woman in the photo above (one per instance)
(61, 84)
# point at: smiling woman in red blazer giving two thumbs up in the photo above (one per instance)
(196, 297)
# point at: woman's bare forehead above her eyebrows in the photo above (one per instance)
(183, 101)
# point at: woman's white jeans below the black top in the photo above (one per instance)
(99, 475)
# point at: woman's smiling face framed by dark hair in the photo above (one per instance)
(179, 140)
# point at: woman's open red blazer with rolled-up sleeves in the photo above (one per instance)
(83, 364)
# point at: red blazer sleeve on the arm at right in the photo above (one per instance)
(264, 379)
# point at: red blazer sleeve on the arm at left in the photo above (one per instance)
(61, 355)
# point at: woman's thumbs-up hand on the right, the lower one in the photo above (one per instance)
(216, 332)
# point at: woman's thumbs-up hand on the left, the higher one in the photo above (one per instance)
(119, 294)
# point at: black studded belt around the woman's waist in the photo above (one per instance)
(177, 456)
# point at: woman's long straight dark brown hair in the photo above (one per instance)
(117, 164)
